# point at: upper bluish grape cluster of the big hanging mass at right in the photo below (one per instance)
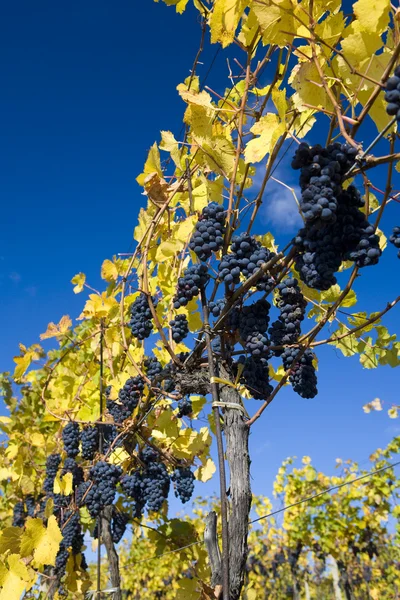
(322, 171)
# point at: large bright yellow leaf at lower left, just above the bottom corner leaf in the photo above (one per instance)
(41, 542)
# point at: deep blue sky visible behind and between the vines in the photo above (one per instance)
(86, 90)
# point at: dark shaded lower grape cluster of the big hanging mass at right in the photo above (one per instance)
(321, 250)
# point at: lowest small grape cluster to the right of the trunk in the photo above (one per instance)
(302, 376)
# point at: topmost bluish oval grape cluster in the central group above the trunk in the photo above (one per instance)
(209, 233)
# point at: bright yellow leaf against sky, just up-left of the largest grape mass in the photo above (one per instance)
(269, 129)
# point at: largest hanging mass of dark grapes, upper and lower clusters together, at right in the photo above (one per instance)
(322, 247)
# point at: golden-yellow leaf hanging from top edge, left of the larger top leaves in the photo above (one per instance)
(224, 20)
